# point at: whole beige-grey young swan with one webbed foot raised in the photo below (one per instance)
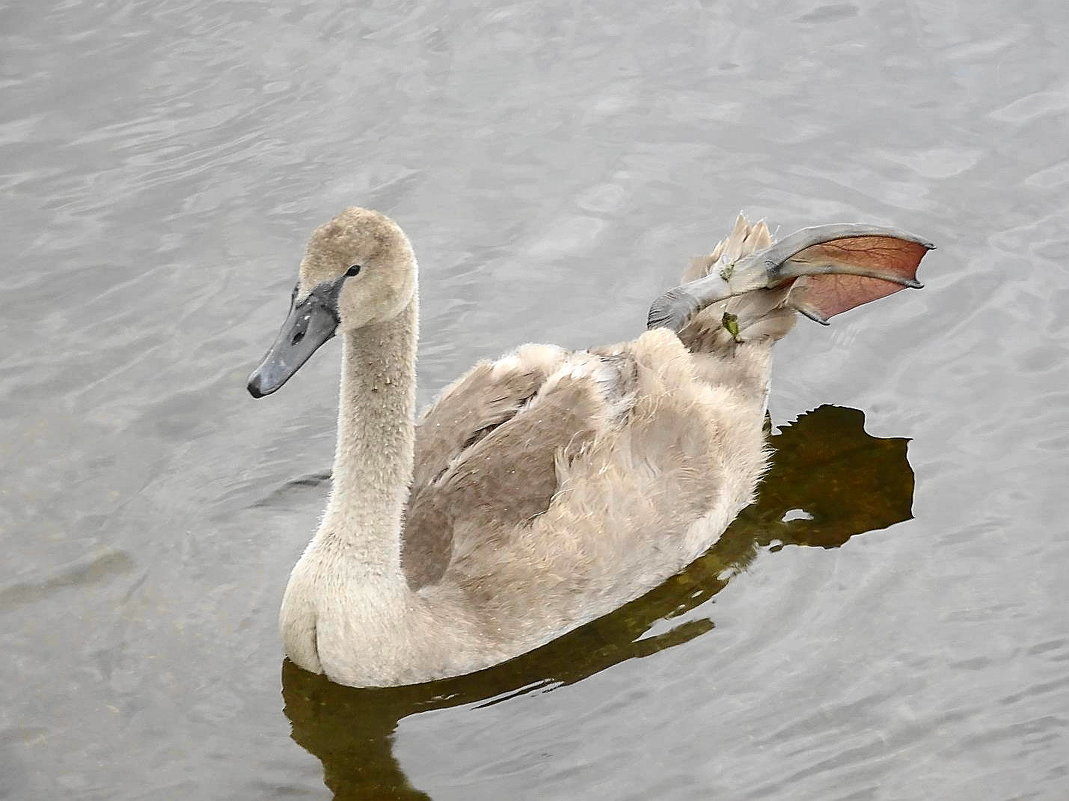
(548, 488)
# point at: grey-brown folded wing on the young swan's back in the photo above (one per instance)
(487, 452)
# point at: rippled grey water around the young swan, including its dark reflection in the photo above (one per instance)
(162, 165)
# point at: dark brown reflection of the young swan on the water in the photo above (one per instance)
(829, 482)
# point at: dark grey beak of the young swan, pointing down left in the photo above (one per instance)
(311, 324)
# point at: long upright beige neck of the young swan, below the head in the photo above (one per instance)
(374, 463)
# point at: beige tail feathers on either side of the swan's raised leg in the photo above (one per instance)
(760, 316)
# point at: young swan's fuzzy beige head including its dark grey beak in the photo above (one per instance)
(358, 271)
